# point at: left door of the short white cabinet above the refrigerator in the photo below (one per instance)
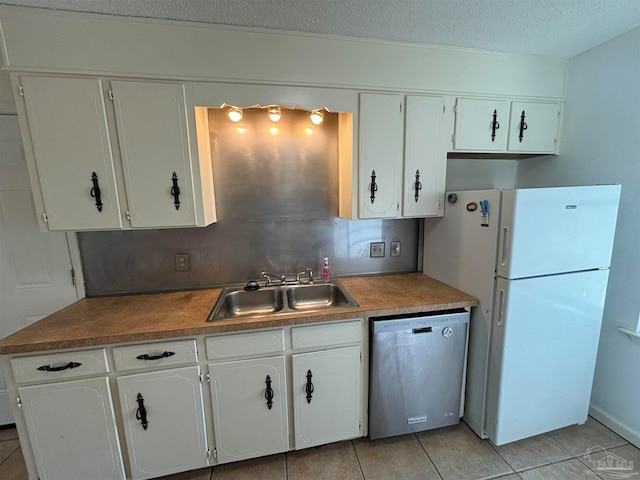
(474, 127)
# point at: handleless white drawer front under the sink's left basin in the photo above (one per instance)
(246, 343)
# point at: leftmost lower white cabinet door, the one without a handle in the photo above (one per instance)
(72, 430)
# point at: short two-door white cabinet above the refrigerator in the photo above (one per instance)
(486, 125)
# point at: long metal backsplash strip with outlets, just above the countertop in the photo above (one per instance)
(234, 251)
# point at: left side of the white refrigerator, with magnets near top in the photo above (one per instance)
(460, 250)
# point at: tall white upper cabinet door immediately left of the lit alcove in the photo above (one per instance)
(154, 145)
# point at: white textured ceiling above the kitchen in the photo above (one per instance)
(561, 28)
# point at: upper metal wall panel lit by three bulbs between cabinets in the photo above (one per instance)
(265, 170)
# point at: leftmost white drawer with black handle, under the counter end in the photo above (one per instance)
(56, 366)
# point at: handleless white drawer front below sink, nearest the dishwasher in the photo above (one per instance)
(326, 334)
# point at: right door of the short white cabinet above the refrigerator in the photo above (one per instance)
(539, 133)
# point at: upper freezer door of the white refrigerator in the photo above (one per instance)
(545, 231)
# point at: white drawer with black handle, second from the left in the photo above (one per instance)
(160, 354)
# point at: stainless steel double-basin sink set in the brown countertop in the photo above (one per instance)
(235, 302)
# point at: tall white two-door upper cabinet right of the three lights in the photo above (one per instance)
(402, 162)
